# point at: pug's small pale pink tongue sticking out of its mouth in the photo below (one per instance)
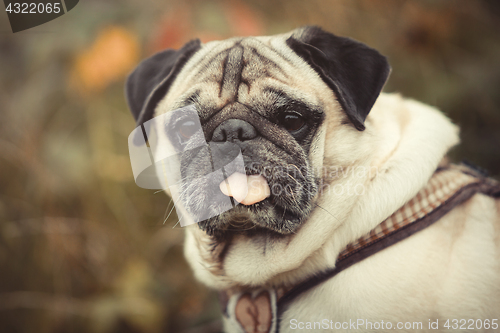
(245, 189)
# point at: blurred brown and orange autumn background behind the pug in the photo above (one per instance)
(82, 248)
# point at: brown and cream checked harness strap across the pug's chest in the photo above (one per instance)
(260, 310)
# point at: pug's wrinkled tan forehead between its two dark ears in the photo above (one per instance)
(251, 71)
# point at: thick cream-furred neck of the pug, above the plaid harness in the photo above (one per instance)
(406, 141)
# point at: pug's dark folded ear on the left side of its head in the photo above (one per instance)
(150, 81)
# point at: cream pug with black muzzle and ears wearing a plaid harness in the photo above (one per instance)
(350, 218)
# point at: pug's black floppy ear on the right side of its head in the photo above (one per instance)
(355, 72)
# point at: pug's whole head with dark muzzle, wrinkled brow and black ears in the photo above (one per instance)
(272, 99)
